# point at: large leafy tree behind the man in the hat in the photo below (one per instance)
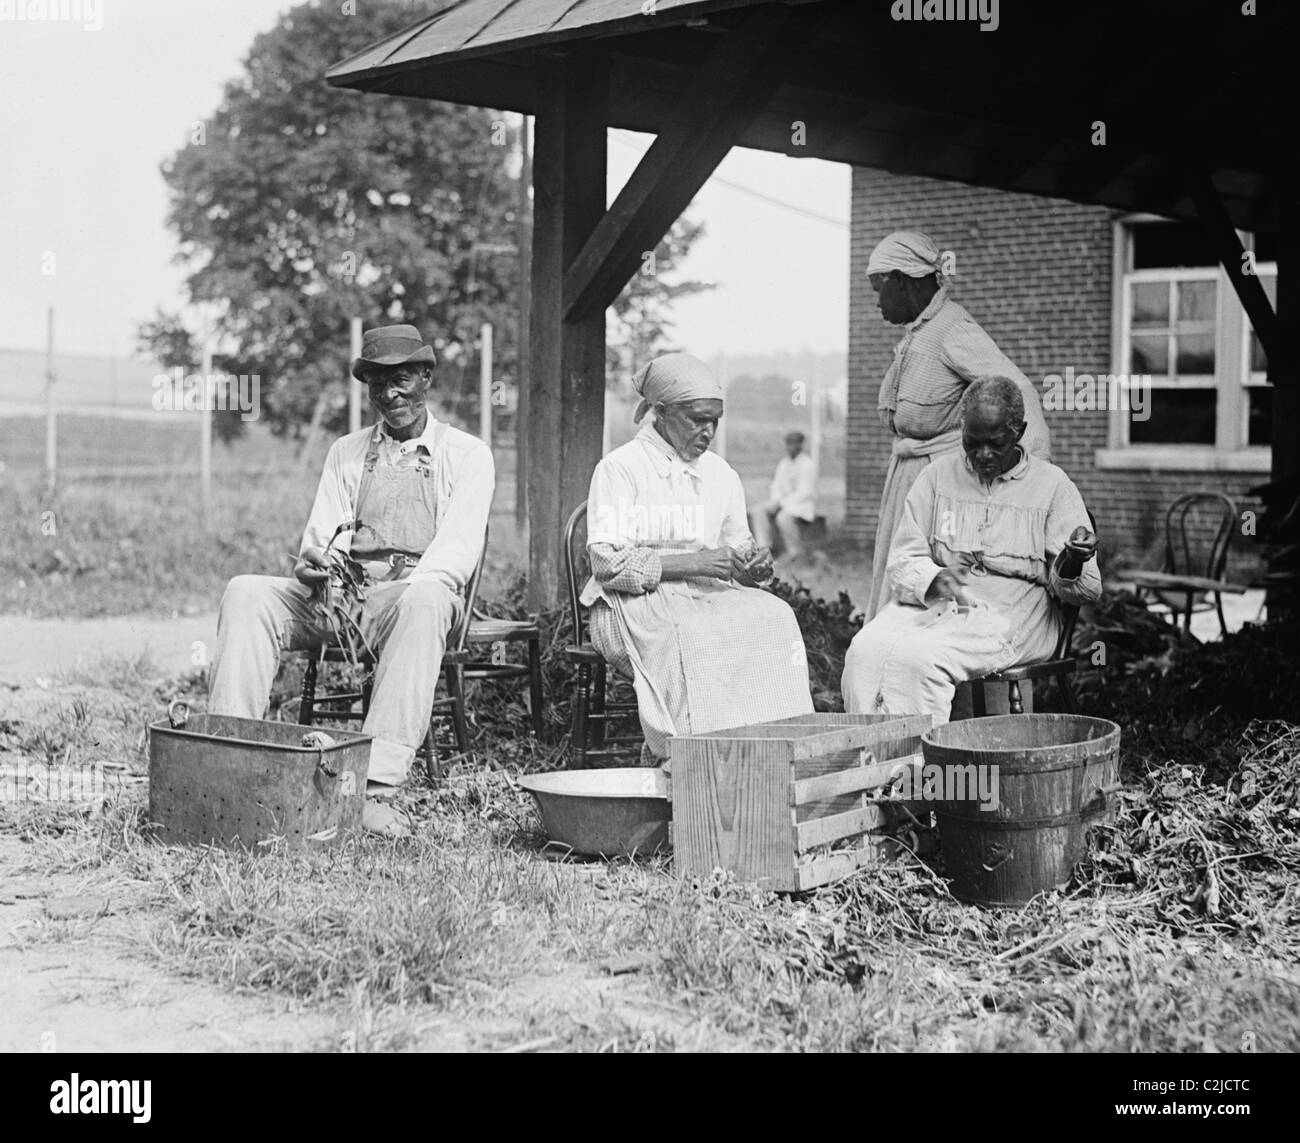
(300, 206)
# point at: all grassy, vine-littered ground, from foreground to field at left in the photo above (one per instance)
(1180, 934)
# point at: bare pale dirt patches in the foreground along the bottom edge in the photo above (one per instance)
(76, 976)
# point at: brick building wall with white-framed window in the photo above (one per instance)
(1063, 287)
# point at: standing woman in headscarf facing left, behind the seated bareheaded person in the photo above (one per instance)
(943, 352)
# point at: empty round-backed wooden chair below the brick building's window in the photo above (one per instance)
(1199, 530)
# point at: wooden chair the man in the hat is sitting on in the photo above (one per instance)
(341, 707)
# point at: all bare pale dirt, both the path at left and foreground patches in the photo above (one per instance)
(77, 973)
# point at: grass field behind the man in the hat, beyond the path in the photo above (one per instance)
(138, 545)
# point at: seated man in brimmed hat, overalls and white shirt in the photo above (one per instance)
(409, 499)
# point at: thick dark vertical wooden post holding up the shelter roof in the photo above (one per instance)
(566, 378)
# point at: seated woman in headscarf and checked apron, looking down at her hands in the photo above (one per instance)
(674, 599)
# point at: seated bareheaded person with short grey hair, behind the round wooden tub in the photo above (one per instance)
(987, 539)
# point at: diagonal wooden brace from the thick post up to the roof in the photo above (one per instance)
(726, 94)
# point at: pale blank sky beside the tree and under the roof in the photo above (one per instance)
(89, 114)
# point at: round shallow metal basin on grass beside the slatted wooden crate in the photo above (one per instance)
(605, 813)
